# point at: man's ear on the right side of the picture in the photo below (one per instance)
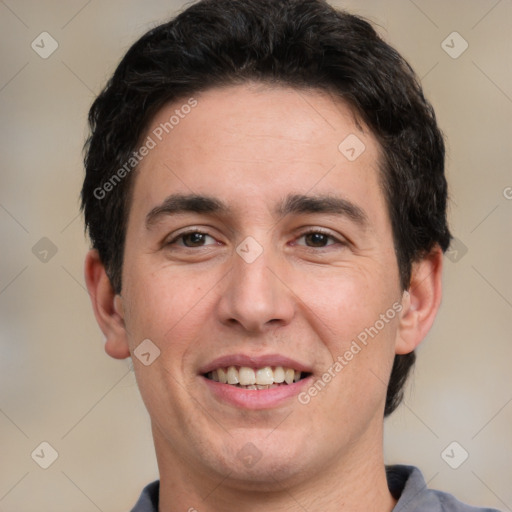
(421, 302)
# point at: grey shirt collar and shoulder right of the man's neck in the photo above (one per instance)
(407, 484)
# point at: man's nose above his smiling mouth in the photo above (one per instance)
(256, 296)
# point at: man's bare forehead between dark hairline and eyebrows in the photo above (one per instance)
(252, 143)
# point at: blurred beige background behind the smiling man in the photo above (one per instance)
(56, 383)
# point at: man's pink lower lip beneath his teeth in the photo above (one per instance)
(255, 398)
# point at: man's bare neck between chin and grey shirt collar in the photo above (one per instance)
(355, 482)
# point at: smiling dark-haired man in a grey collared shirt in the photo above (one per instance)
(266, 200)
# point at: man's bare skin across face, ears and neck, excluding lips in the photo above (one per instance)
(304, 297)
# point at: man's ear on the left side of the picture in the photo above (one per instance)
(107, 306)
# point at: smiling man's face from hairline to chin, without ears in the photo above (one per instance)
(284, 263)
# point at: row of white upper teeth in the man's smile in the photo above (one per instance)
(245, 376)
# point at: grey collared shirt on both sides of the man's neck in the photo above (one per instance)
(406, 484)
